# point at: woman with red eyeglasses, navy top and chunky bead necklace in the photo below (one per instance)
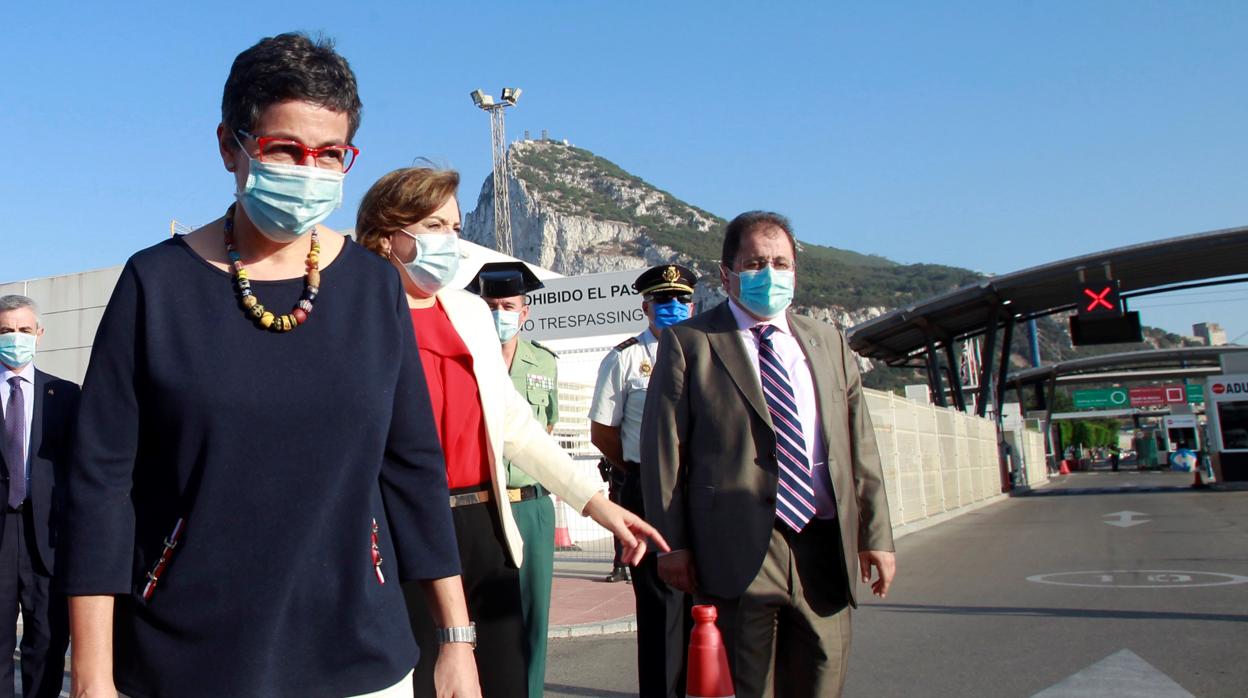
(256, 468)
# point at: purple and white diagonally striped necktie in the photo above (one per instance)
(796, 496)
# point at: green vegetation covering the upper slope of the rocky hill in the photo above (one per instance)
(831, 277)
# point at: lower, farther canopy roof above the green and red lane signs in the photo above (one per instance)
(1143, 361)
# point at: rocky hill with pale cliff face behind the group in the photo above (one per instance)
(576, 213)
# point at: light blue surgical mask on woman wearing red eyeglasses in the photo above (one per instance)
(285, 202)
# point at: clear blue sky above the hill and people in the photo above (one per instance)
(988, 135)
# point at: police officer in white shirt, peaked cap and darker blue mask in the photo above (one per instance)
(663, 619)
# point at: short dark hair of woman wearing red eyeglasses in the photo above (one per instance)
(289, 67)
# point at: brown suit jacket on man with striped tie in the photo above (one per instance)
(708, 450)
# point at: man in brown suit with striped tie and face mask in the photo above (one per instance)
(762, 471)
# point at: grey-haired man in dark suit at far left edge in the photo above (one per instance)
(39, 413)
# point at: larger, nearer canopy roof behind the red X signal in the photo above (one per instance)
(1049, 289)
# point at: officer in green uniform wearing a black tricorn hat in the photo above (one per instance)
(504, 287)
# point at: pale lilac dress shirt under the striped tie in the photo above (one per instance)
(796, 364)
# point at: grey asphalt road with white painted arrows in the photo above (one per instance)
(1128, 584)
